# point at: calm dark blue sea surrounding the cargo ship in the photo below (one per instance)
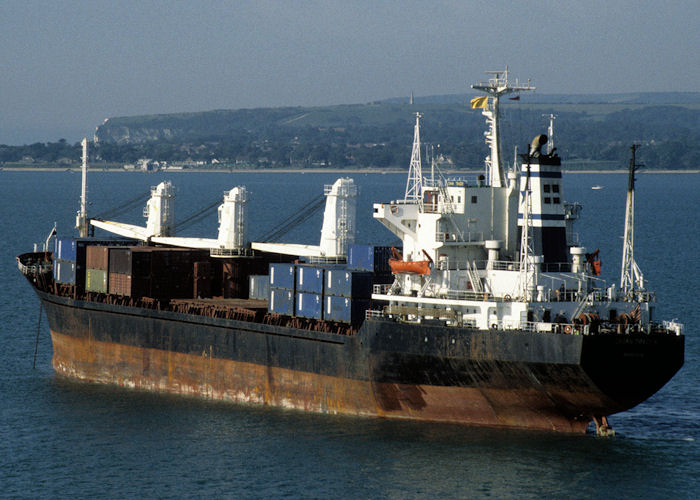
(64, 439)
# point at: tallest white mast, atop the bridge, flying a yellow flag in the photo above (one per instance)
(497, 86)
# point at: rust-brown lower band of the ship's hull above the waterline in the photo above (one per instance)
(209, 377)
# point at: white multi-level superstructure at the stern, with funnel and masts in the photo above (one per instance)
(501, 246)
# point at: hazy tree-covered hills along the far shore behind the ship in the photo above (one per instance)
(588, 128)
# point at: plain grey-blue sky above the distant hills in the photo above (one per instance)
(66, 66)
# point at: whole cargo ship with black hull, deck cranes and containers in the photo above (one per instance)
(489, 313)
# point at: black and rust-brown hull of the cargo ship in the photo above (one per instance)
(551, 382)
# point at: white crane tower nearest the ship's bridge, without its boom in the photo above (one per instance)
(339, 218)
